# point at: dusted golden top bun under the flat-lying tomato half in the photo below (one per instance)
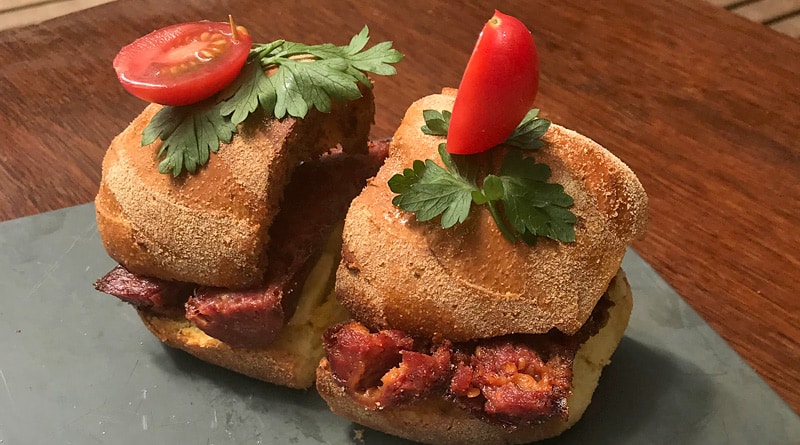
(211, 227)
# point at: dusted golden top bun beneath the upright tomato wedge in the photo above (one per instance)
(468, 282)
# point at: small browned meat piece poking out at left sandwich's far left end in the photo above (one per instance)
(161, 296)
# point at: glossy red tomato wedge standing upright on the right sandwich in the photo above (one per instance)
(498, 87)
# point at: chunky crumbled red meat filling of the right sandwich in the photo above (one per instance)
(512, 380)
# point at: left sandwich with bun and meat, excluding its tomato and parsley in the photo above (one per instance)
(235, 263)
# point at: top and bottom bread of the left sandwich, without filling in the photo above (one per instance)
(212, 228)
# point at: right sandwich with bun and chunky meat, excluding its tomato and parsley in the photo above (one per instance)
(462, 337)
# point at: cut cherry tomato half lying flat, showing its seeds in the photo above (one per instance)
(183, 64)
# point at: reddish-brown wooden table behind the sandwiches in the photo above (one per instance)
(702, 104)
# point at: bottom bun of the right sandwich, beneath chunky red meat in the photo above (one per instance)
(437, 421)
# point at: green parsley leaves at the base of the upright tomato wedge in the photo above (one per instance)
(521, 201)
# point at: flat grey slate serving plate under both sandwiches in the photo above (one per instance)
(78, 367)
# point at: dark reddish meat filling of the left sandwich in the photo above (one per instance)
(314, 204)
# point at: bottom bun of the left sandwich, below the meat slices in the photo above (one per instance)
(289, 361)
